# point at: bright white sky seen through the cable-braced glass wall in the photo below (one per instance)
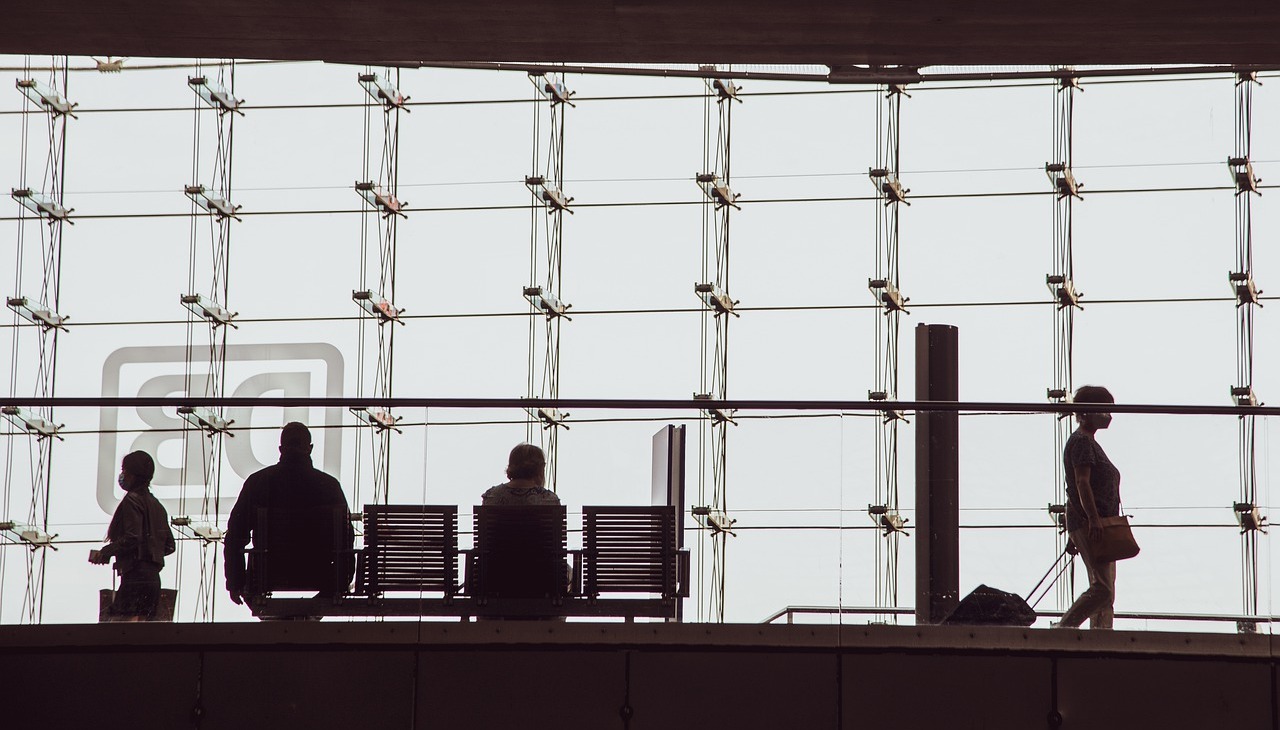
(790, 142)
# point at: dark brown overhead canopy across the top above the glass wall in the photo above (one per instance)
(922, 33)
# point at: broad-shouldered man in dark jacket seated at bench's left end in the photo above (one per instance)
(299, 522)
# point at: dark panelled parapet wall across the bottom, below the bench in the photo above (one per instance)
(630, 677)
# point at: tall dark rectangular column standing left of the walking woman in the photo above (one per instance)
(938, 474)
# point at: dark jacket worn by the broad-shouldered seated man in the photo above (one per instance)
(291, 485)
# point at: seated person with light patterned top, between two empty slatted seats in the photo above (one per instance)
(520, 533)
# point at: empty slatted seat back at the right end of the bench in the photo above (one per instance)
(629, 550)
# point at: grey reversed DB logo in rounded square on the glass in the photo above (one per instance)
(182, 453)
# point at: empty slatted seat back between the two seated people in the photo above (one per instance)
(410, 547)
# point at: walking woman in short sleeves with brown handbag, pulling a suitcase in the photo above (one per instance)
(1094, 495)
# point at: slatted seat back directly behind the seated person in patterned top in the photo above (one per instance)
(520, 551)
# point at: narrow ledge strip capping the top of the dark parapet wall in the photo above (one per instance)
(639, 637)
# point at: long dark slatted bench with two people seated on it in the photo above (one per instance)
(516, 571)
